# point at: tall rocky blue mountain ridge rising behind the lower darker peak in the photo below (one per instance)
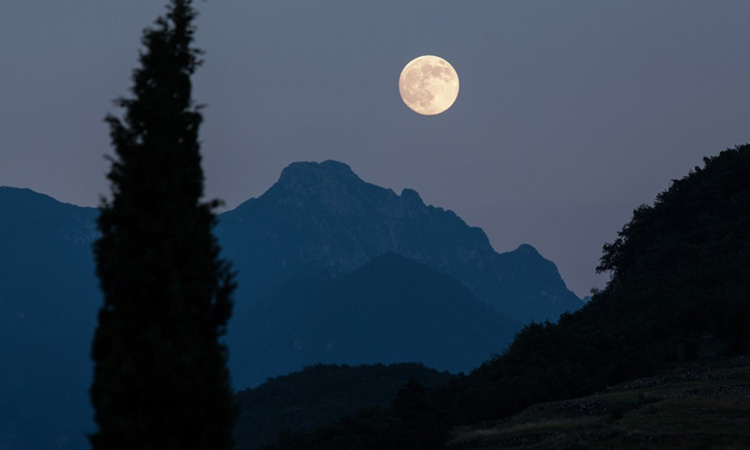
(322, 218)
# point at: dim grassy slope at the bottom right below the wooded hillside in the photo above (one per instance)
(690, 407)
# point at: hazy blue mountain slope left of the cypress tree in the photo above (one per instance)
(48, 302)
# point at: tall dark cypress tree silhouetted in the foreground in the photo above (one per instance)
(160, 376)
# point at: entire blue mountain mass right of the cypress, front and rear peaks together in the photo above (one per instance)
(320, 221)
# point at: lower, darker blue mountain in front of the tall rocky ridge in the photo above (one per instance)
(391, 309)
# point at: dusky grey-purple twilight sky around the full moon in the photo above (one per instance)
(570, 113)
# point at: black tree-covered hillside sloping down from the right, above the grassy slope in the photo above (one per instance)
(679, 291)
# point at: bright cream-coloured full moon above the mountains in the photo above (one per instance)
(428, 85)
